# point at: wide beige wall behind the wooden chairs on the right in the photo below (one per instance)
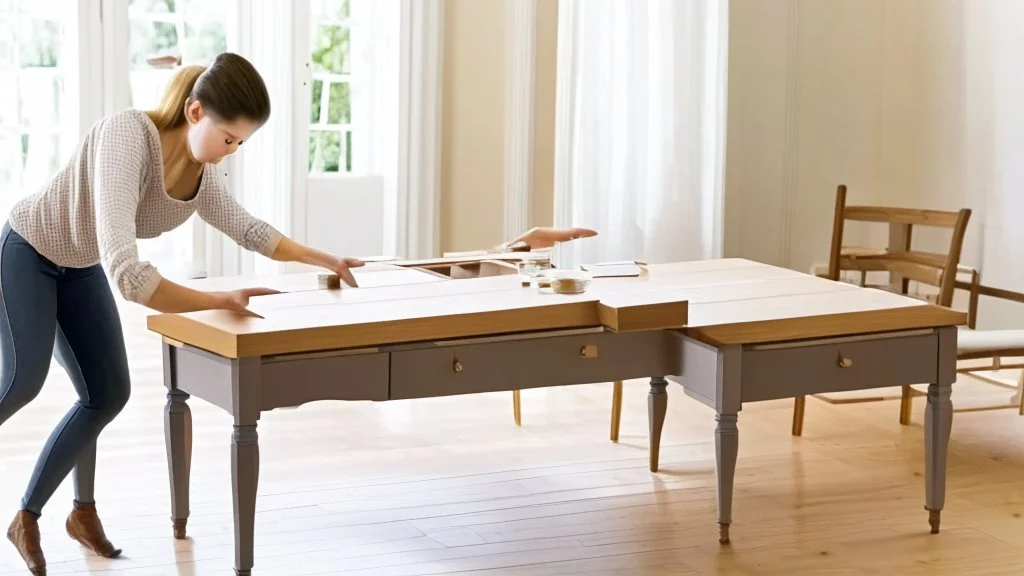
(910, 103)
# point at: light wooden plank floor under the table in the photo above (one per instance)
(452, 486)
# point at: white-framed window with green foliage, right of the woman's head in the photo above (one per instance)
(350, 122)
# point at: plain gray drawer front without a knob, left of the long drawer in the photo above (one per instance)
(293, 382)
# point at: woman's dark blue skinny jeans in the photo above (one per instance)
(50, 311)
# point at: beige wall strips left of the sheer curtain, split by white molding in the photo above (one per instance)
(474, 122)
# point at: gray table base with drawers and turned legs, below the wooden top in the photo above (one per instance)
(722, 379)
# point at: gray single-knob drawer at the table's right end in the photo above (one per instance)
(863, 363)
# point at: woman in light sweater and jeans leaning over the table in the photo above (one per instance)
(137, 175)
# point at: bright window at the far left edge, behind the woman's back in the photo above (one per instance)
(38, 107)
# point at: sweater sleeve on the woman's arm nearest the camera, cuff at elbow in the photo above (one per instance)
(120, 162)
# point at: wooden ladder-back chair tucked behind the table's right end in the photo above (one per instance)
(901, 263)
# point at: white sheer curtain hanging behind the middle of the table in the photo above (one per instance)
(641, 129)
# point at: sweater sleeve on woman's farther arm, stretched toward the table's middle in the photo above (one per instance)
(221, 211)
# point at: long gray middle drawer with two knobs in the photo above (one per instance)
(513, 364)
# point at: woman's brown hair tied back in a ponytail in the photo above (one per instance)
(229, 90)
